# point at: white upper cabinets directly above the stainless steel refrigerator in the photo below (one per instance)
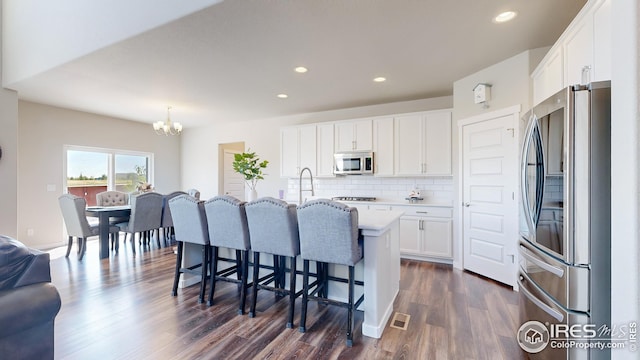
(581, 55)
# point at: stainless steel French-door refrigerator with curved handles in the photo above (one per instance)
(565, 237)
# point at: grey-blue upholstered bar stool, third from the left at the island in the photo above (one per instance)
(273, 229)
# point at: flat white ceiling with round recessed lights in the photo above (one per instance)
(229, 61)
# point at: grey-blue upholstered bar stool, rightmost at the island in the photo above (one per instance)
(329, 234)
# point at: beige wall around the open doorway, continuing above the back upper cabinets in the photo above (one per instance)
(200, 146)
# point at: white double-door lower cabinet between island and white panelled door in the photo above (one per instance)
(426, 233)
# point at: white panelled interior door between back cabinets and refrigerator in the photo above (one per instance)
(490, 211)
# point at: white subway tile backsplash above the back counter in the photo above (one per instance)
(432, 189)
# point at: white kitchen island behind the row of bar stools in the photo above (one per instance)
(379, 270)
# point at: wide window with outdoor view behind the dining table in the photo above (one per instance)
(90, 171)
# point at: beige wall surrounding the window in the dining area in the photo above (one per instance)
(42, 133)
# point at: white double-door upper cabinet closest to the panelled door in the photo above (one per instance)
(423, 144)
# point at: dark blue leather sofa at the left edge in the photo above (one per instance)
(29, 302)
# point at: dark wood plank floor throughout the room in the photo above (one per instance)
(121, 308)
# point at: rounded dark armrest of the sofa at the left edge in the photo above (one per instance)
(27, 306)
